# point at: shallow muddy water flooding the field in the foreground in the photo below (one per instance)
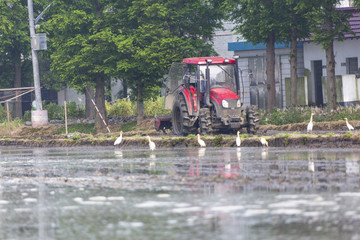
(183, 193)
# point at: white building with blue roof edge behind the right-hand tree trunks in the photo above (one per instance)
(311, 70)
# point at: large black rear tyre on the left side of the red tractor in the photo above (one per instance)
(180, 117)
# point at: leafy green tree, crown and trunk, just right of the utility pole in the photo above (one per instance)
(80, 40)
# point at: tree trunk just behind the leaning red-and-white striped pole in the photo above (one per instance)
(100, 102)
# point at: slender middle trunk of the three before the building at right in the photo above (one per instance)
(293, 64)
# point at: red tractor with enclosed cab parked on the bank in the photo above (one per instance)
(204, 92)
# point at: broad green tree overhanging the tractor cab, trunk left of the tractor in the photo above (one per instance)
(157, 33)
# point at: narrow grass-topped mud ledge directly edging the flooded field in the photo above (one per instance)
(294, 140)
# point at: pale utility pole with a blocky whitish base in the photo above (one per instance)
(39, 117)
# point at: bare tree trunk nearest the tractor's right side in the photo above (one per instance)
(270, 71)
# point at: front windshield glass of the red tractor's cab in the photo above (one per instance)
(221, 75)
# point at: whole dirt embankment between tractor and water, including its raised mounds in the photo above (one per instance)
(325, 134)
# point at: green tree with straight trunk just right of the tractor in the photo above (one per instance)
(261, 21)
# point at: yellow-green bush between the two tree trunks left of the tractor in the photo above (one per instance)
(121, 108)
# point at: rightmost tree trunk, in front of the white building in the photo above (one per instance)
(330, 72)
